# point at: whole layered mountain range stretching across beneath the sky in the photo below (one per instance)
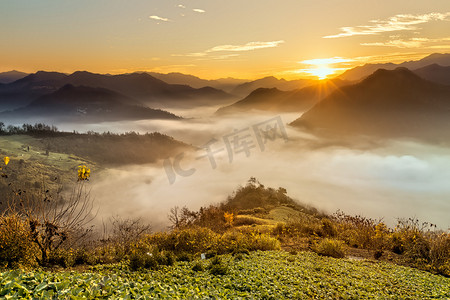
(389, 101)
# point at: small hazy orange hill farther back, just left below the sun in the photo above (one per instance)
(270, 82)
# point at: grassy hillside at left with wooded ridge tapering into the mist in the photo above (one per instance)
(48, 159)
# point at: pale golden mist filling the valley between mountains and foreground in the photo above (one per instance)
(379, 179)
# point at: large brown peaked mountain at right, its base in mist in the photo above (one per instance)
(388, 103)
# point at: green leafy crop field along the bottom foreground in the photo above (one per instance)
(260, 275)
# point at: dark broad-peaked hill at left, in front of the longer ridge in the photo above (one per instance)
(81, 103)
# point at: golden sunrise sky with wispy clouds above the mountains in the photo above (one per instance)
(219, 38)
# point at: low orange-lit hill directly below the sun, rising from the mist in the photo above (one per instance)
(273, 99)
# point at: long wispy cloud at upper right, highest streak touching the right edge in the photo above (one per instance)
(395, 23)
